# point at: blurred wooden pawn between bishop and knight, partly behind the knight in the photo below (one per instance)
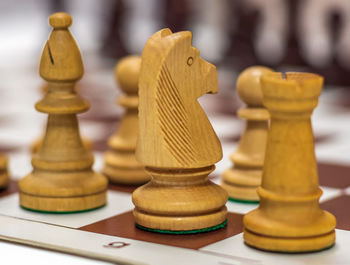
(121, 165)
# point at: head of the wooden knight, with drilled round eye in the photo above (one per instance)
(174, 53)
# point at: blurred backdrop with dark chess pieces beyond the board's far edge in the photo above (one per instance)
(303, 35)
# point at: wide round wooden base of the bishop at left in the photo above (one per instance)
(65, 192)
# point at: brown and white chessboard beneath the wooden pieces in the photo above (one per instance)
(109, 234)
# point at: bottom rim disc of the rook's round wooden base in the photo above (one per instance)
(289, 244)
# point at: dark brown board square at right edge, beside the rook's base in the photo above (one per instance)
(339, 207)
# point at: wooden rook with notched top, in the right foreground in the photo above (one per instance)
(289, 218)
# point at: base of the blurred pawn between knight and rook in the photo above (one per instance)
(241, 184)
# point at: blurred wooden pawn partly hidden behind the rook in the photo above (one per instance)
(242, 180)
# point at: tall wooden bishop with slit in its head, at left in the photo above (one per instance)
(62, 179)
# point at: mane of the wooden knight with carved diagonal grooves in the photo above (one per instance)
(157, 84)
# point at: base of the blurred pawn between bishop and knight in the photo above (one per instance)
(124, 169)
